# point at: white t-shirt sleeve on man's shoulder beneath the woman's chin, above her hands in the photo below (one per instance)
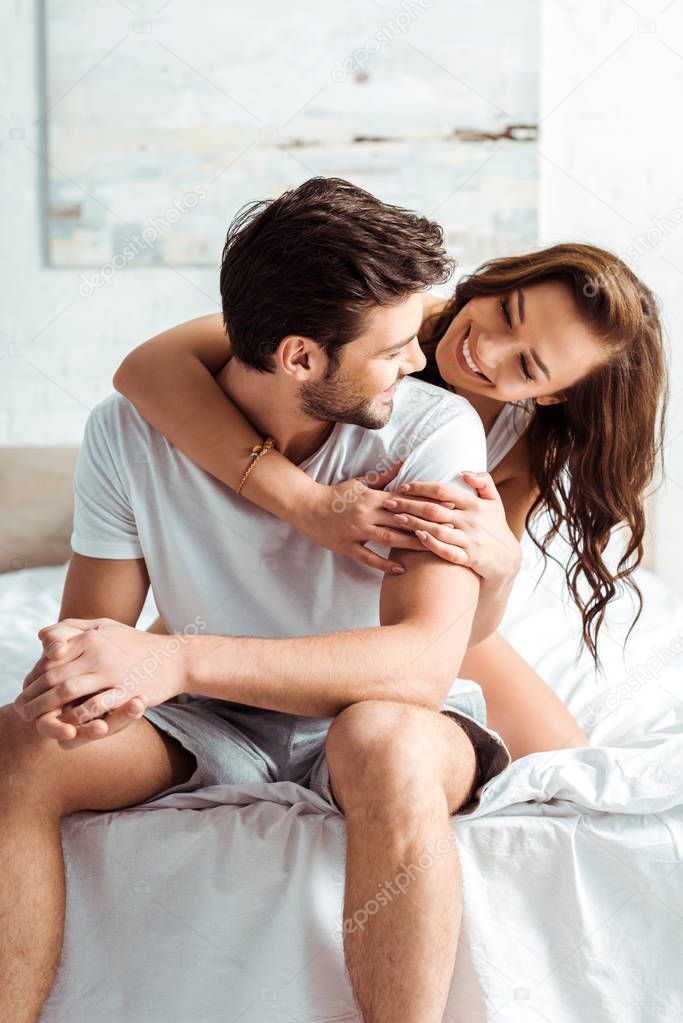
(456, 446)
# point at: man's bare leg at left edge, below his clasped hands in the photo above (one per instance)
(39, 784)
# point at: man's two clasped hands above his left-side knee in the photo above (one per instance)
(99, 668)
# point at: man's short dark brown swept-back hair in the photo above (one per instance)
(315, 261)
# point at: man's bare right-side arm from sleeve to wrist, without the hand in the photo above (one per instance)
(413, 657)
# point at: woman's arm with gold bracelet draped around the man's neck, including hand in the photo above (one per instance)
(170, 380)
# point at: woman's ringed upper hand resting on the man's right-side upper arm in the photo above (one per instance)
(463, 528)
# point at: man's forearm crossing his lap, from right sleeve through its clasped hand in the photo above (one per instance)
(413, 657)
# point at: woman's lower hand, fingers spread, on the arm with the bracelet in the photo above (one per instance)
(349, 515)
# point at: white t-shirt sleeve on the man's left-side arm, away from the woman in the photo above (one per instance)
(104, 522)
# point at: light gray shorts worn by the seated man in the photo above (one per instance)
(236, 744)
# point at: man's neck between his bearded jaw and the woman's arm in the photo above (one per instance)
(272, 411)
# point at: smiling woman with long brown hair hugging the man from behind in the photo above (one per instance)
(561, 353)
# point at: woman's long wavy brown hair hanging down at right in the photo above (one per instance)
(595, 456)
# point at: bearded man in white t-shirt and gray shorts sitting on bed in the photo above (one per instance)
(314, 670)
